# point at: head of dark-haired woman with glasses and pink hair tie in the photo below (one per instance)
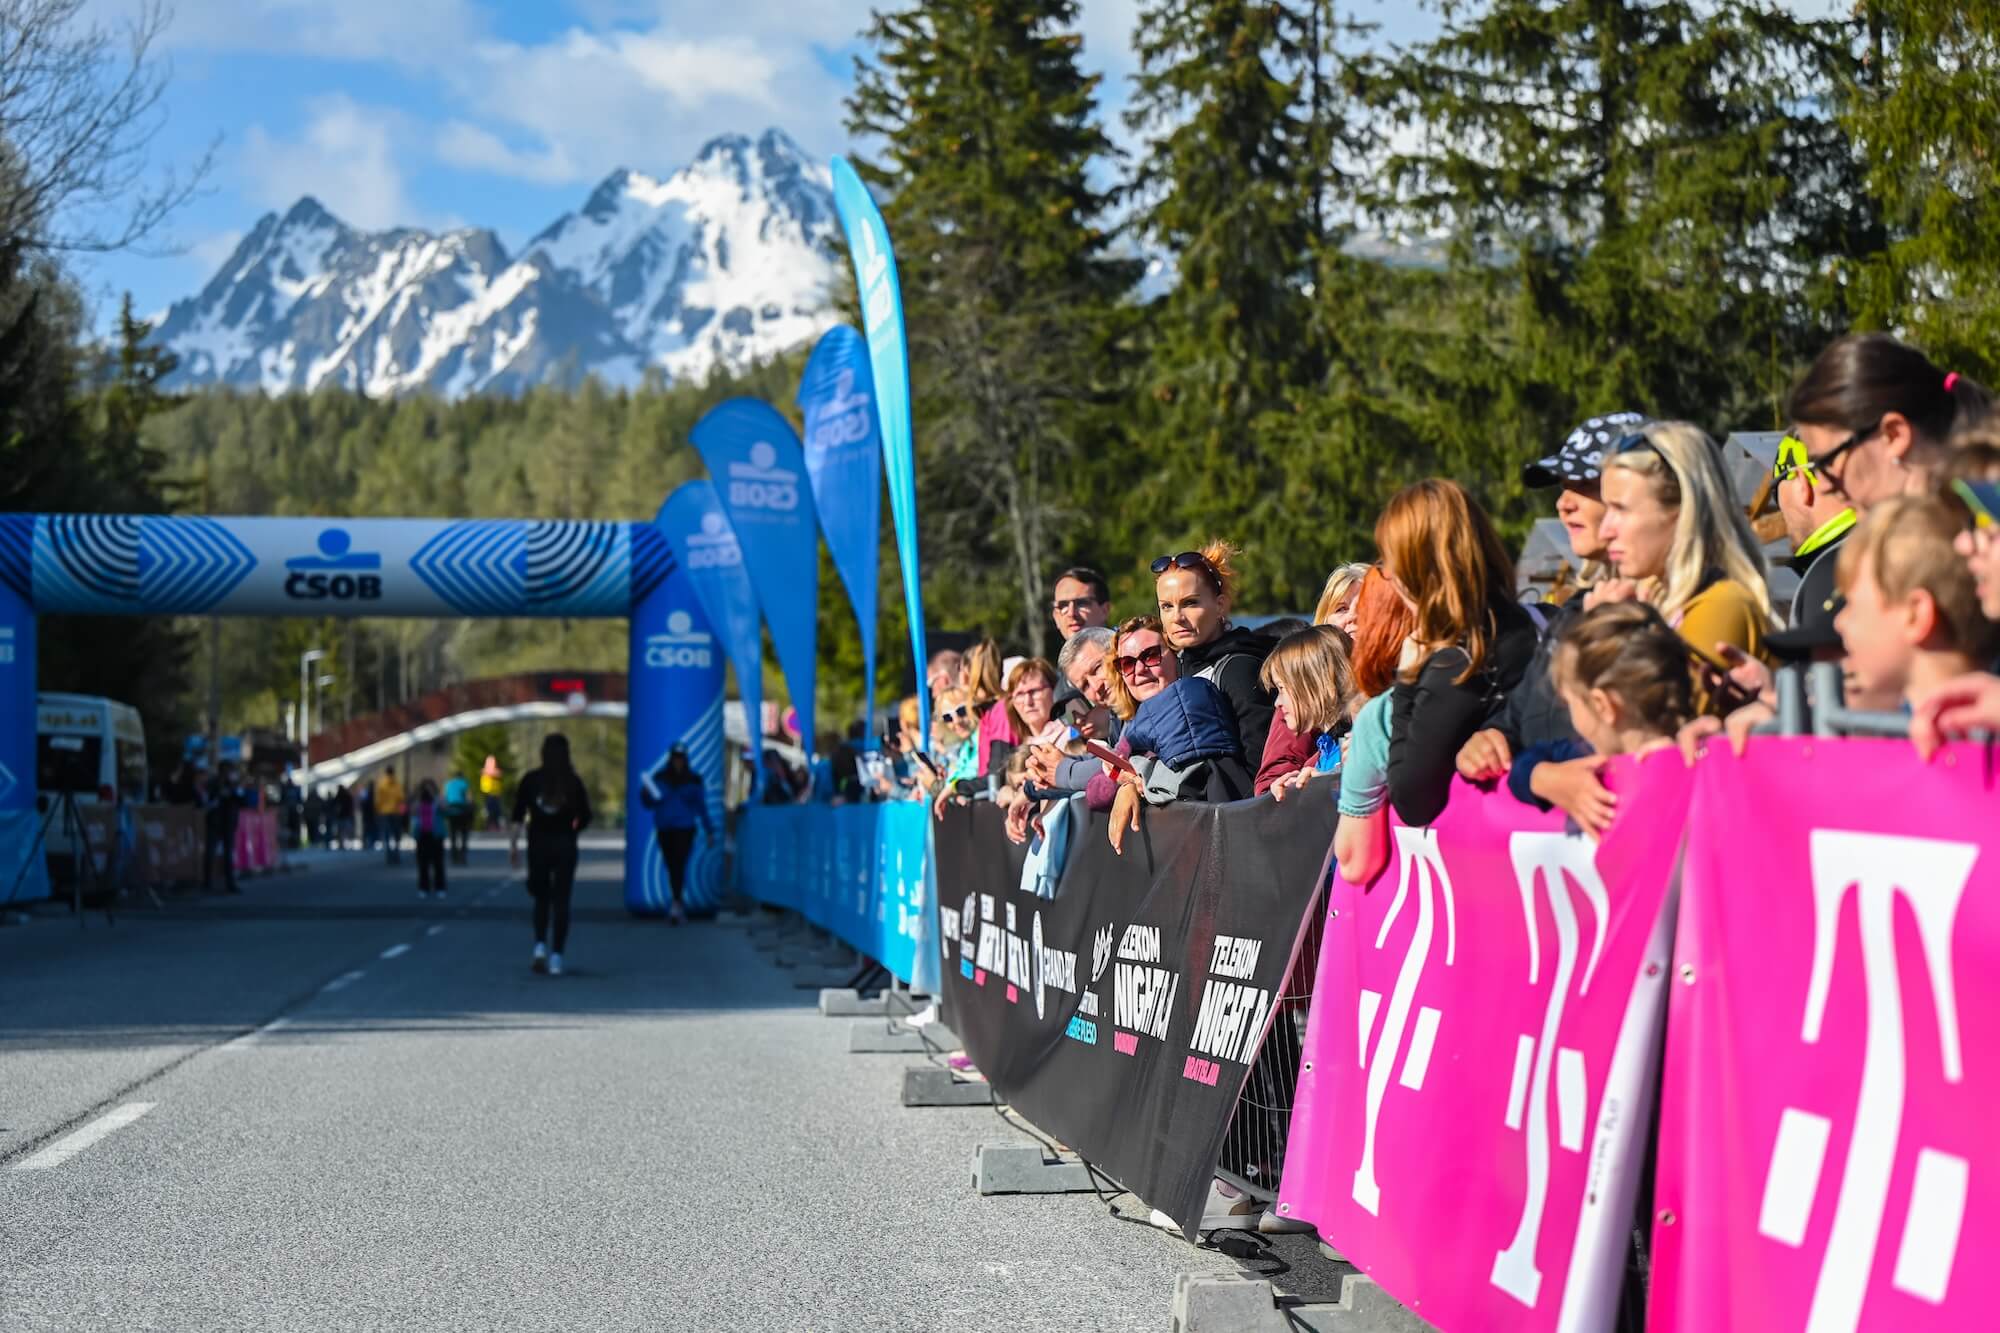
(1873, 419)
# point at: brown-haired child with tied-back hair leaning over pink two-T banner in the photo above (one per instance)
(1623, 674)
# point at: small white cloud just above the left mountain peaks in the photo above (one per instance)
(345, 159)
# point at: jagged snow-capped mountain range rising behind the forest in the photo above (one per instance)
(719, 265)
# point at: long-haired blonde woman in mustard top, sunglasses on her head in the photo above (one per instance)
(1679, 537)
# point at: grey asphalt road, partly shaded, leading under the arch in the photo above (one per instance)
(329, 1106)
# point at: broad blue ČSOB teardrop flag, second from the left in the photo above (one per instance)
(759, 465)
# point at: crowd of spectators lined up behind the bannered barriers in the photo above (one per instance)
(1425, 663)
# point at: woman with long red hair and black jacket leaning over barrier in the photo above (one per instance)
(1473, 639)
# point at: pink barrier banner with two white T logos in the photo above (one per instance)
(1479, 1062)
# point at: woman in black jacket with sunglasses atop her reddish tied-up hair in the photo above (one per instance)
(1195, 591)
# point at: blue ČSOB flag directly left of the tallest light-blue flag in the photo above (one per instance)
(845, 463)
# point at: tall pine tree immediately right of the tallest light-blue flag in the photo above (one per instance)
(991, 139)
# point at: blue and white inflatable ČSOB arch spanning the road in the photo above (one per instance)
(373, 567)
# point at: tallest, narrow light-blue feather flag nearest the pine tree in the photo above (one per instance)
(889, 361)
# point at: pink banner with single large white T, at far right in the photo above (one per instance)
(1827, 1140)
